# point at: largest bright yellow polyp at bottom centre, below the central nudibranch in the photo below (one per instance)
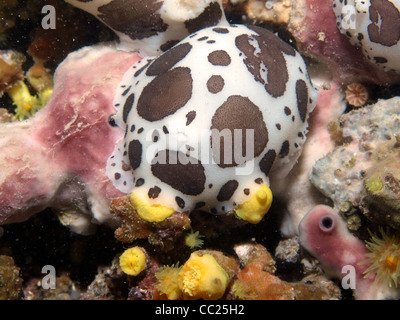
(201, 277)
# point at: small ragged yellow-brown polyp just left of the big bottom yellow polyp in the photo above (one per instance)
(167, 282)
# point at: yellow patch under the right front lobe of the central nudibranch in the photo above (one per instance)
(254, 209)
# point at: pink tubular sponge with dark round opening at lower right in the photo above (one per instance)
(325, 235)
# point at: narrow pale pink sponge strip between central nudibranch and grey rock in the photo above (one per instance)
(299, 193)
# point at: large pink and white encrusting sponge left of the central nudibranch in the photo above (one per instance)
(57, 158)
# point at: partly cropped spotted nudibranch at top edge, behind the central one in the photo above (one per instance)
(151, 26)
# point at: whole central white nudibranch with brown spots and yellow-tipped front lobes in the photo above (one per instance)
(207, 121)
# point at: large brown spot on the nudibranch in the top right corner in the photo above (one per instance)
(385, 28)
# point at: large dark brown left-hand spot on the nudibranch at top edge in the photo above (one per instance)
(136, 21)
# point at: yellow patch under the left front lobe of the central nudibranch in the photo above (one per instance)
(149, 213)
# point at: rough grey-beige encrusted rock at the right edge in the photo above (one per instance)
(362, 170)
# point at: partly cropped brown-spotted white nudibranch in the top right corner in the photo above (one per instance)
(374, 25)
